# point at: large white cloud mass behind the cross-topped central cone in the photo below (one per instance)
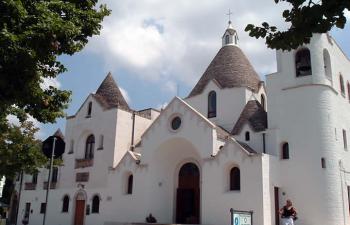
(173, 41)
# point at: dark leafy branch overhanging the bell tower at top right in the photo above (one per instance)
(305, 17)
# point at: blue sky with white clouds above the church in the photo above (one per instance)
(157, 49)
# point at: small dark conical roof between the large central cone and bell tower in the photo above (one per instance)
(254, 114)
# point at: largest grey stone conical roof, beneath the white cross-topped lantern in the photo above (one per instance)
(230, 68)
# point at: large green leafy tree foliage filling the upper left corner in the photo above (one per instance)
(33, 34)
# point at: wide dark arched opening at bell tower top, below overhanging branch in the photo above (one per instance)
(303, 62)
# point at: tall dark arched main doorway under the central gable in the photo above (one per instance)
(188, 195)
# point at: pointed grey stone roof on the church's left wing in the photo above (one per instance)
(109, 94)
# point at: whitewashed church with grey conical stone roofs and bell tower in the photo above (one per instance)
(234, 142)
